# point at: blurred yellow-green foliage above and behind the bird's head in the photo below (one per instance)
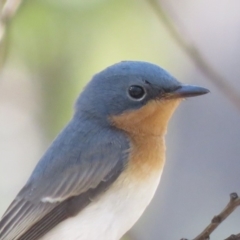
(63, 43)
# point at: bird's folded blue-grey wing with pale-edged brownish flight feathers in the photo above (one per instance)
(47, 200)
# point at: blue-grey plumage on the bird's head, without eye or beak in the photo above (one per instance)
(113, 82)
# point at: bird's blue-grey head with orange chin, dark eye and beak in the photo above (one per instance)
(138, 97)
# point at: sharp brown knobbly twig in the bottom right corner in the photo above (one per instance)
(217, 220)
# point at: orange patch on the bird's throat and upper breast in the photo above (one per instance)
(146, 128)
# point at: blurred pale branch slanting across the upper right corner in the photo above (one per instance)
(195, 55)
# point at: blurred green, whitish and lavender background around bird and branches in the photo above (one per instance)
(50, 50)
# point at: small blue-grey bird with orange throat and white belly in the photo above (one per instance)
(101, 172)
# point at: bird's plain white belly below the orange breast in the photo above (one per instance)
(112, 215)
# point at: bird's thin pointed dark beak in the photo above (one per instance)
(185, 91)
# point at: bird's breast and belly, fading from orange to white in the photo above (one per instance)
(116, 211)
